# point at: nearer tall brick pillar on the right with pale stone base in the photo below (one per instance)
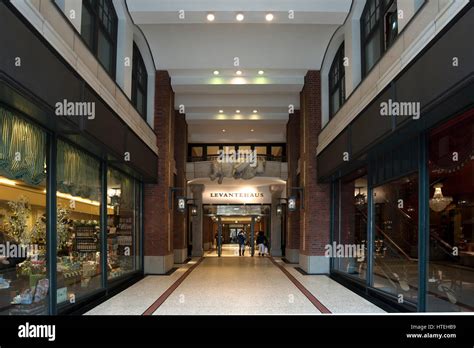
(314, 219)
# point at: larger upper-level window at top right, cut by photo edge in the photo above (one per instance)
(379, 28)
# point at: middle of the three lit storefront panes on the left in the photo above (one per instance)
(78, 224)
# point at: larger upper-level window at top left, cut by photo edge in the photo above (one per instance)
(99, 31)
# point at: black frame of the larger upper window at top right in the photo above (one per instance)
(373, 23)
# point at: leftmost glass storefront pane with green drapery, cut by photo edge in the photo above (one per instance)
(24, 285)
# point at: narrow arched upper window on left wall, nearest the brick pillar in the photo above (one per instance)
(139, 82)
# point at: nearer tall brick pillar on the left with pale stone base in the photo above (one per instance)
(158, 218)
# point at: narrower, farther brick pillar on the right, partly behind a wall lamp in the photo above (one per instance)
(292, 249)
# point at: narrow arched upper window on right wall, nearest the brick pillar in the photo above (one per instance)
(337, 91)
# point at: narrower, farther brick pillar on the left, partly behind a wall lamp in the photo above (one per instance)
(180, 158)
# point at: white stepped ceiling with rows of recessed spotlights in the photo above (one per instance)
(190, 49)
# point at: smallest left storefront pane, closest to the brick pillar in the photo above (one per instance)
(122, 224)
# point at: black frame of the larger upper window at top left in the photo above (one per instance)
(96, 8)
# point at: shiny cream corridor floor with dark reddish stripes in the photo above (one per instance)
(233, 285)
